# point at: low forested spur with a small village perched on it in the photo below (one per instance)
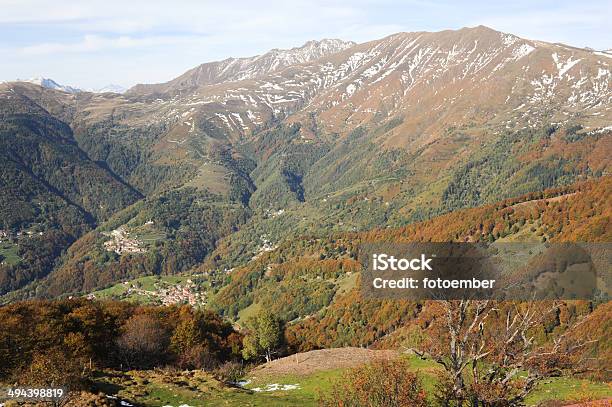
(167, 234)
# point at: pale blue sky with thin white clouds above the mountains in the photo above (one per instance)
(93, 43)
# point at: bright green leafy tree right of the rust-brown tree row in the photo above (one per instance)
(264, 337)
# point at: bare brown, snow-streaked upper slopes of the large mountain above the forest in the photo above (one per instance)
(434, 98)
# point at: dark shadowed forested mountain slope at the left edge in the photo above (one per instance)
(51, 192)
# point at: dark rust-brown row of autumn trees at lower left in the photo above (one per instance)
(64, 341)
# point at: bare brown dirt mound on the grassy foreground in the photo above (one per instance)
(324, 359)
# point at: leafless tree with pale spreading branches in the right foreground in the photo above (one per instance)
(489, 352)
